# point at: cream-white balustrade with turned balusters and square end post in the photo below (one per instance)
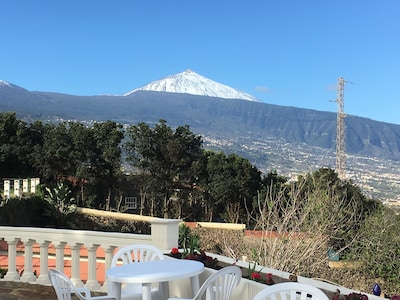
(67, 245)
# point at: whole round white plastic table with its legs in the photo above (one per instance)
(150, 272)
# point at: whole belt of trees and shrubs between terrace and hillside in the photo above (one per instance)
(172, 176)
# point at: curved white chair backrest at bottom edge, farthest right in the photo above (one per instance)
(291, 291)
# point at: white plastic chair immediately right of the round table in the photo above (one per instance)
(218, 286)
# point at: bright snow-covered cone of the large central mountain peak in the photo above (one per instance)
(190, 82)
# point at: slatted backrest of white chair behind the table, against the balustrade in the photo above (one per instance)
(137, 253)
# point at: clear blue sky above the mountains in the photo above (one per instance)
(285, 52)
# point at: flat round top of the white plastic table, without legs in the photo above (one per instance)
(155, 271)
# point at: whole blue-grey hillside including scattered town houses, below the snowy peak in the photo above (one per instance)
(287, 139)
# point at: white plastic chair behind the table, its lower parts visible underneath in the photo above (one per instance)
(137, 253)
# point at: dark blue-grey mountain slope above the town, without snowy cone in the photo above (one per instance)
(212, 116)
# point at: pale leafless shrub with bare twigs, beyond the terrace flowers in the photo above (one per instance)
(297, 227)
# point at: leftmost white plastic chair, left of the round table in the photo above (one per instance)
(64, 288)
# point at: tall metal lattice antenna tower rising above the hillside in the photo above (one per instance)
(340, 143)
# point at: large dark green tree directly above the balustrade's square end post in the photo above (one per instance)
(164, 157)
